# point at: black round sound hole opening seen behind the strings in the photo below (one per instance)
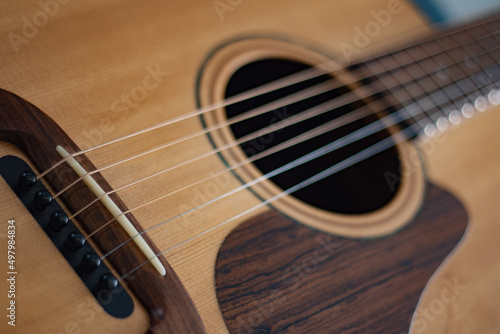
(361, 188)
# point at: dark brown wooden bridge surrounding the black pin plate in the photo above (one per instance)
(168, 304)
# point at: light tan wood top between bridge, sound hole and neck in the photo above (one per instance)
(91, 53)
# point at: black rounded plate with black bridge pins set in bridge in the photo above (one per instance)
(67, 238)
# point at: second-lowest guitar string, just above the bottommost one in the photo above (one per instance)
(363, 132)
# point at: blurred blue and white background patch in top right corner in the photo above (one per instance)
(451, 12)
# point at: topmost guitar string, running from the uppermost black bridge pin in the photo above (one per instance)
(272, 86)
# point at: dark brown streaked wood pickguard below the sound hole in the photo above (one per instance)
(276, 276)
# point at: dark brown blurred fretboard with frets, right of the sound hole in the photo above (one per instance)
(444, 79)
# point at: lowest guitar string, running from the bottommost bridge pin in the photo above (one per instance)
(381, 146)
